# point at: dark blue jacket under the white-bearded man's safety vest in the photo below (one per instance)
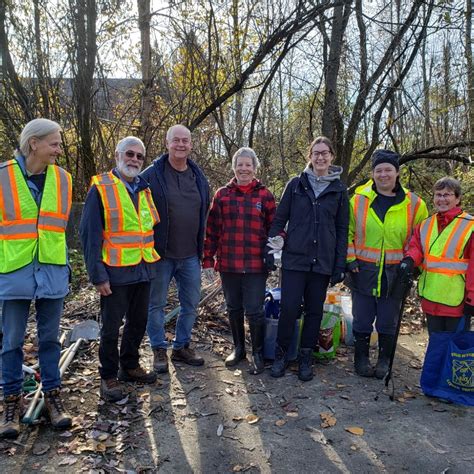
(91, 231)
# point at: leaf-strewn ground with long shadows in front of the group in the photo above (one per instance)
(212, 419)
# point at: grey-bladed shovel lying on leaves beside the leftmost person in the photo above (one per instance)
(85, 331)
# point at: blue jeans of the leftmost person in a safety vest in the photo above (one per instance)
(15, 318)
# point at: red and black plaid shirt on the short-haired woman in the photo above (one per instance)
(237, 228)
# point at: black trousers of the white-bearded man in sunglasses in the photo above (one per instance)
(130, 301)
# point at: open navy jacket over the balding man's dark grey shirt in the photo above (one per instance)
(155, 175)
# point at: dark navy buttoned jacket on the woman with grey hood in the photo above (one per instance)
(316, 234)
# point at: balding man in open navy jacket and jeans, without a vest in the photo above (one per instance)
(181, 195)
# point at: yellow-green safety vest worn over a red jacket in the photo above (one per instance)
(443, 265)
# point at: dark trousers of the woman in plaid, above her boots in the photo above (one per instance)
(244, 293)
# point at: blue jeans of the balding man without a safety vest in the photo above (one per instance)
(187, 274)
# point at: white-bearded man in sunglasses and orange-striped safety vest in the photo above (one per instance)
(117, 238)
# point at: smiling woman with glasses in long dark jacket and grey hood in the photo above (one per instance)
(313, 218)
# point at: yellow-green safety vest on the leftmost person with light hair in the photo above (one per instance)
(24, 229)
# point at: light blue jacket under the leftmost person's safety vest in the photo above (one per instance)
(35, 280)
